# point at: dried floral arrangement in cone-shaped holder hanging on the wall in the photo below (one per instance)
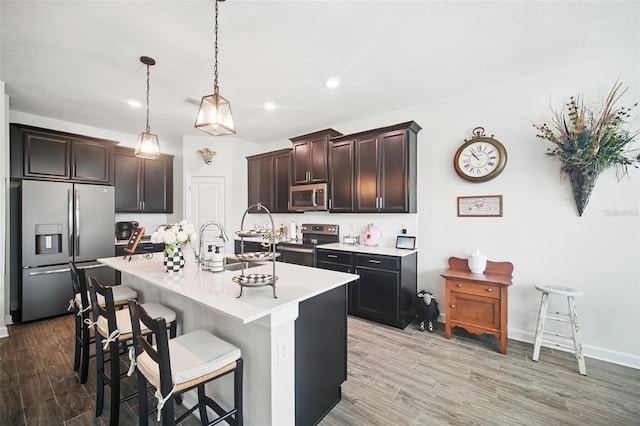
(589, 142)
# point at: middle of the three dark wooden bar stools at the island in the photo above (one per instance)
(113, 329)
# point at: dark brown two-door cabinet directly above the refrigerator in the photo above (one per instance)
(38, 153)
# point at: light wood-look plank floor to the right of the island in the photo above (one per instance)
(411, 378)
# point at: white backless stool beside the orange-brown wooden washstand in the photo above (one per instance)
(571, 318)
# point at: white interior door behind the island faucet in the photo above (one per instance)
(205, 202)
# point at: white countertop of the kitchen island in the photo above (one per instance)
(218, 292)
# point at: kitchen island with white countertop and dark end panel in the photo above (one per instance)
(282, 340)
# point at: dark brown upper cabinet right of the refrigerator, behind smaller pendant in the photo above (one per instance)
(143, 185)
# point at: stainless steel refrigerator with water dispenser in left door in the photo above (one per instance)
(62, 222)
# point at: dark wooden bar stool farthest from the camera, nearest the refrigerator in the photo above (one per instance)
(81, 306)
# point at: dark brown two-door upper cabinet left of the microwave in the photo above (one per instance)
(269, 178)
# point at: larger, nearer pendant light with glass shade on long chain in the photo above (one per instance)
(214, 115)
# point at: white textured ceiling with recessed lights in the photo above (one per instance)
(77, 61)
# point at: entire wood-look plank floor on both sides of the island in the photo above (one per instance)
(395, 377)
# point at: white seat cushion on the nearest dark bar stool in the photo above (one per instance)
(192, 355)
